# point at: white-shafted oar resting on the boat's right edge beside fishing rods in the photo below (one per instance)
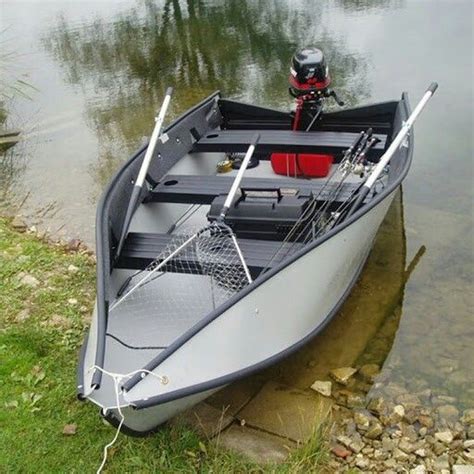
(394, 146)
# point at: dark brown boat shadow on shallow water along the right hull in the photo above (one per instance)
(362, 332)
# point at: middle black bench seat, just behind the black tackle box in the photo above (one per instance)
(192, 189)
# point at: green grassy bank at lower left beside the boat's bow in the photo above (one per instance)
(41, 330)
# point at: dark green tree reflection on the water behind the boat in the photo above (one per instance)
(241, 47)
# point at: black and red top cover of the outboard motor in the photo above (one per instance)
(309, 72)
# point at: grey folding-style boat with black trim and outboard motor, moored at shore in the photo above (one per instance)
(232, 239)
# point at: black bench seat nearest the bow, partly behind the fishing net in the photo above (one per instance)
(141, 249)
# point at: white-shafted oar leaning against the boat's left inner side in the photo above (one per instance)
(137, 188)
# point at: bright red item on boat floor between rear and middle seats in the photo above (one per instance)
(310, 165)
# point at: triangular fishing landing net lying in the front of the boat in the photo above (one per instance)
(193, 275)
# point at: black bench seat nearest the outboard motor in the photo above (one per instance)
(284, 141)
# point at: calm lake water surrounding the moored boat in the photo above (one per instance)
(100, 69)
